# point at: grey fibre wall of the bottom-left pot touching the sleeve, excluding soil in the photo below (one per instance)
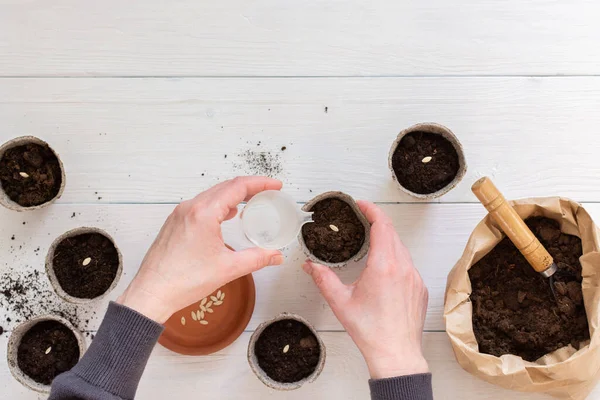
(13, 347)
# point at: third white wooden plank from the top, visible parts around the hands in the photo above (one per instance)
(435, 234)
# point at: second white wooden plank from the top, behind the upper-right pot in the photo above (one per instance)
(162, 140)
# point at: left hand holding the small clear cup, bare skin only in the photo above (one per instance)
(188, 260)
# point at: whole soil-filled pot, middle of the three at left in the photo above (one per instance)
(83, 265)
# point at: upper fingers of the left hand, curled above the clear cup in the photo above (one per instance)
(229, 194)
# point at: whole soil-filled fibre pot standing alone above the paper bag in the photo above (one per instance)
(427, 160)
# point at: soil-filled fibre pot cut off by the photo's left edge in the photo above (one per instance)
(31, 174)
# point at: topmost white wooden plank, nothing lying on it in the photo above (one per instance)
(309, 38)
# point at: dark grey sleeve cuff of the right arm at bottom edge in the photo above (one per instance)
(408, 387)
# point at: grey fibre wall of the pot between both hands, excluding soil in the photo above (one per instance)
(363, 220)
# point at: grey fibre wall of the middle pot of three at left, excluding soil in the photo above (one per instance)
(52, 275)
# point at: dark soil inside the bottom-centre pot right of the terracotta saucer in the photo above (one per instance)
(302, 357)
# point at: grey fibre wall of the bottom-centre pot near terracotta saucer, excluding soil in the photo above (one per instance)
(261, 374)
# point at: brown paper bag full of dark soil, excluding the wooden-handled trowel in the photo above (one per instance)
(505, 324)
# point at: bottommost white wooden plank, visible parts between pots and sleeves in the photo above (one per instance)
(226, 375)
